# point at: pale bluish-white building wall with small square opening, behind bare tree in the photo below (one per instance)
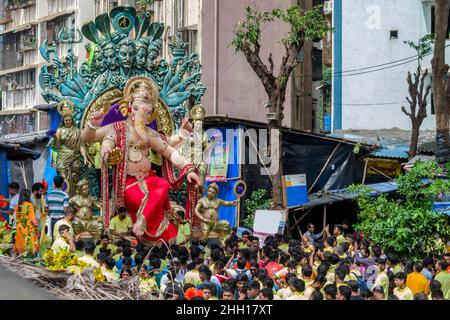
(374, 100)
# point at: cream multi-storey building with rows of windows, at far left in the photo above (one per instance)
(24, 25)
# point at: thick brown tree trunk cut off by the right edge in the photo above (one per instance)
(440, 87)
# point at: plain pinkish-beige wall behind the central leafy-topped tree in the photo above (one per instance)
(239, 92)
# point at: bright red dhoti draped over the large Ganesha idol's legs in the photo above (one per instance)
(150, 198)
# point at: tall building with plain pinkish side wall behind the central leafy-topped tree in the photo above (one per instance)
(233, 88)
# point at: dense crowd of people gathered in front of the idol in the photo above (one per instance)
(335, 264)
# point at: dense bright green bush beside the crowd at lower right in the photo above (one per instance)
(407, 226)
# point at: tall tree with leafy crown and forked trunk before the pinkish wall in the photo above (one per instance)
(305, 26)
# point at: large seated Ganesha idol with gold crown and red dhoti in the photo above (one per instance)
(135, 185)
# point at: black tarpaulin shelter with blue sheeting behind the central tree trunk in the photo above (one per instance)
(329, 163)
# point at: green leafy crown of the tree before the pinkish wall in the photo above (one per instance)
(305, 25)
